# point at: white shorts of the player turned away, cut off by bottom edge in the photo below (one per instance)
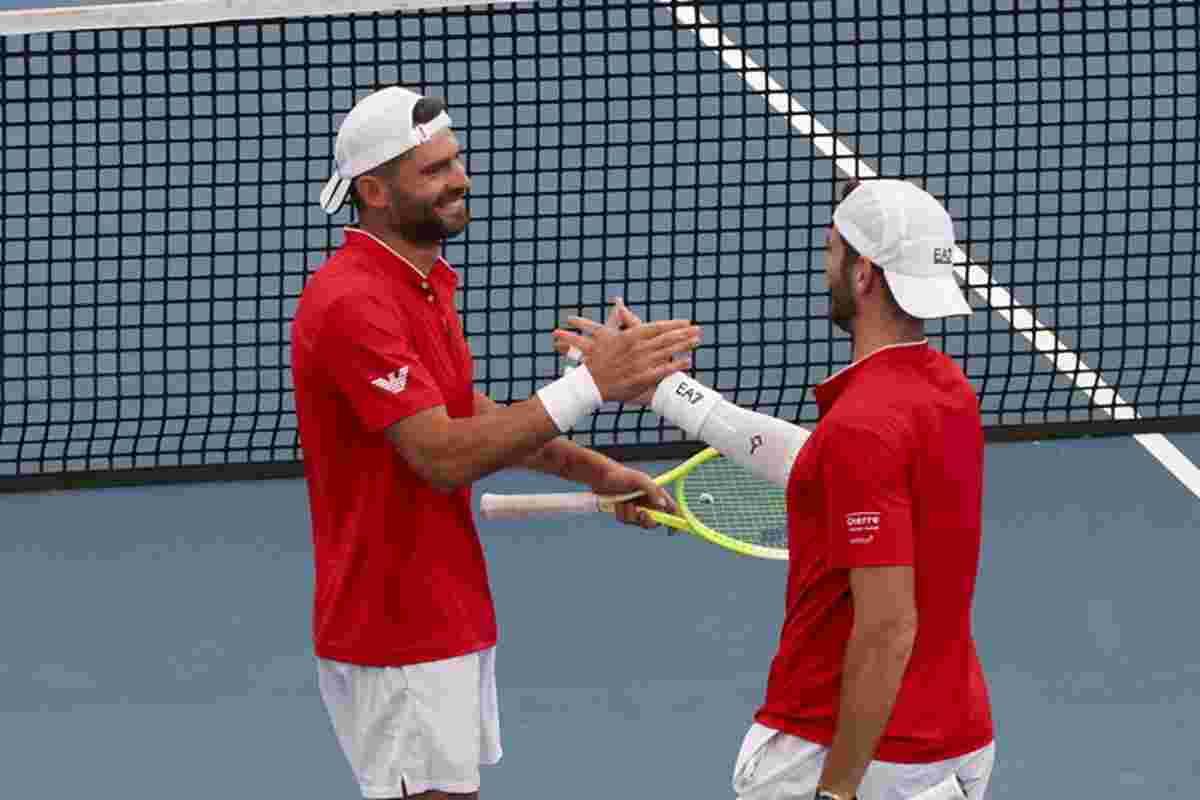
(776, 766)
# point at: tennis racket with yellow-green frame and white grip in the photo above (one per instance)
(718, 501)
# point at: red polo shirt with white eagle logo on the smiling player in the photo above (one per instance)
(400, 573)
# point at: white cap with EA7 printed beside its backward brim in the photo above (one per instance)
(910, 236)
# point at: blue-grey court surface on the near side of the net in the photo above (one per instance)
(157, 642)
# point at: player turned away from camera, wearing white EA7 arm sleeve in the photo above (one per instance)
(877, 690)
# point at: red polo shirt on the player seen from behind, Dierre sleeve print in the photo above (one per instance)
(892, 476)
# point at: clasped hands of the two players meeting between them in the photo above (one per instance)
(626, 357)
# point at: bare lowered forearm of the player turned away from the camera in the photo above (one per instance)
(874, 670)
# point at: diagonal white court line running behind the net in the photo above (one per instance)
(977, 276)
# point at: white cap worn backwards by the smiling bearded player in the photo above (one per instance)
(379, 129)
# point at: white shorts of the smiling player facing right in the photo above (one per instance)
(416, 729)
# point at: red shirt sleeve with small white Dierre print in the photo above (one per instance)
(868, 498)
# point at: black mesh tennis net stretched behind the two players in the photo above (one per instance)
(161, 165)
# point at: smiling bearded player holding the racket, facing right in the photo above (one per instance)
(394, 435)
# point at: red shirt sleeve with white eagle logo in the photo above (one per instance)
(368, 350)
